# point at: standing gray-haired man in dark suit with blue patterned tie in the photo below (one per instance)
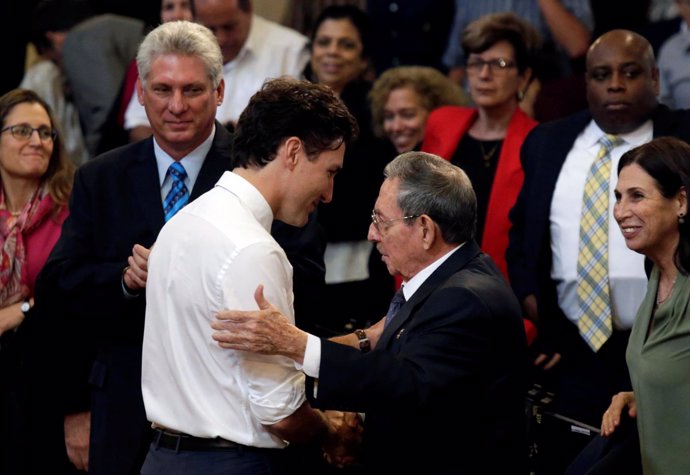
(94, 281)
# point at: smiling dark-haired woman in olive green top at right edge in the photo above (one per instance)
(651, 211)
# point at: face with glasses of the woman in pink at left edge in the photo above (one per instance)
(26, 143)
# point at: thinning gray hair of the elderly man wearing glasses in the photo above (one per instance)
(433, 186)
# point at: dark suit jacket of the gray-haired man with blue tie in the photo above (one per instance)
(116, 203)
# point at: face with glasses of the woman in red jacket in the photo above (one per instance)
(493, 76)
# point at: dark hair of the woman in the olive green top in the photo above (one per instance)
(667, 161)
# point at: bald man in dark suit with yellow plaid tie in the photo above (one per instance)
(586, 358)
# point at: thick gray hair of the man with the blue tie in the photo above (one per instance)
(181, 37)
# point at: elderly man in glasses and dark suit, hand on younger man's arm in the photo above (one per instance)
(443, 384)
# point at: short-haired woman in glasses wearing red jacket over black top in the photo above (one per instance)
(485, 141)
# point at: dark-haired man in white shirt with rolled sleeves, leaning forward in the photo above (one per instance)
(225, 411)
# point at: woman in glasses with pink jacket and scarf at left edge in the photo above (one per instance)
(35, 184)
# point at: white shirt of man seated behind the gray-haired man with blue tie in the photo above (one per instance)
(271, 51)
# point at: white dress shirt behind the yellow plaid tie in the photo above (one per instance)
(627, 278)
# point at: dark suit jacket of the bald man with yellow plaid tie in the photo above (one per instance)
(529, 255)
